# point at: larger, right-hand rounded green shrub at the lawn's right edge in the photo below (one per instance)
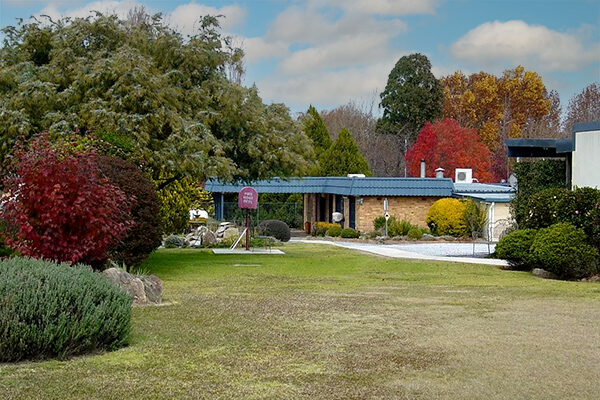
(562, 250)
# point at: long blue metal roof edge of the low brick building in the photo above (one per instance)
(346, 186)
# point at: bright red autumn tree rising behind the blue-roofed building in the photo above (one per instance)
(448, 145)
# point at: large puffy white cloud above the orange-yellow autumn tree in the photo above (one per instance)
(517, 42)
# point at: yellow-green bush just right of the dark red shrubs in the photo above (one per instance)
(177, 200)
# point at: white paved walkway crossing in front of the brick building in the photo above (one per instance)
(420, 251)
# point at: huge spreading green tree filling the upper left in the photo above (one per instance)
(164, 101)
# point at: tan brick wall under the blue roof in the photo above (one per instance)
(412, 209)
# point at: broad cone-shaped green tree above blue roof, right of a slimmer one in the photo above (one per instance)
(343, 157)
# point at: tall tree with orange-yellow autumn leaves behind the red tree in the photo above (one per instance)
(514, 105)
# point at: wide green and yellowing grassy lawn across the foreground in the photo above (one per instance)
(329, 323)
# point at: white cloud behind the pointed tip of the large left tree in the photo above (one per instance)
(185, 17)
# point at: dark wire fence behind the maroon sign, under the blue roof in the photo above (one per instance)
(290, 213)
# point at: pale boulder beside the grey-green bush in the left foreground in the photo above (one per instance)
(143, 289)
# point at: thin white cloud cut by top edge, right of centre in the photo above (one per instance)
(381, 7)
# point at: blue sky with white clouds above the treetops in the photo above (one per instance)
(329, 52)
